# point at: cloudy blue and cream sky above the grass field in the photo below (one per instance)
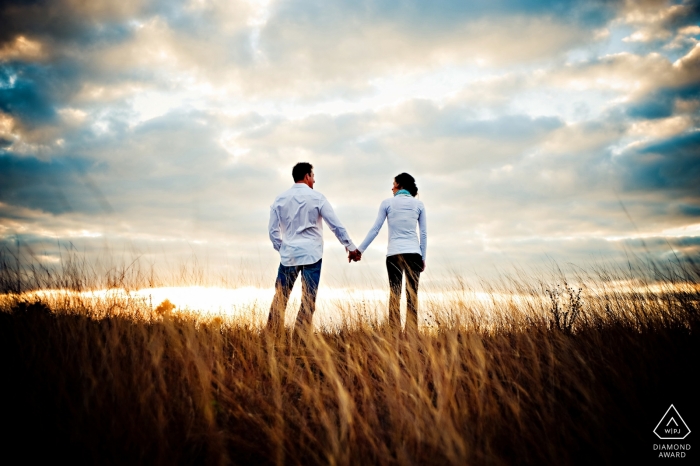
(539, 132)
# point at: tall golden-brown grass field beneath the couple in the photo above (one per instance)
(557, 374)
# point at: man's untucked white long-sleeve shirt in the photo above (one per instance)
(296, 229)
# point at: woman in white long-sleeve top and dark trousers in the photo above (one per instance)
(405, 255)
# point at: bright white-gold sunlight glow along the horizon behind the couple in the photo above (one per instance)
(334, 305)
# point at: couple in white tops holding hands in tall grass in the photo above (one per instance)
(296, 232)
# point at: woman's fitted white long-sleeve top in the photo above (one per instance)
(402, 212)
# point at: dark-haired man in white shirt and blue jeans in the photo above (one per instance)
(296, 231)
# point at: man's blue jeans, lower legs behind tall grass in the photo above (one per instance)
(286, 276)
